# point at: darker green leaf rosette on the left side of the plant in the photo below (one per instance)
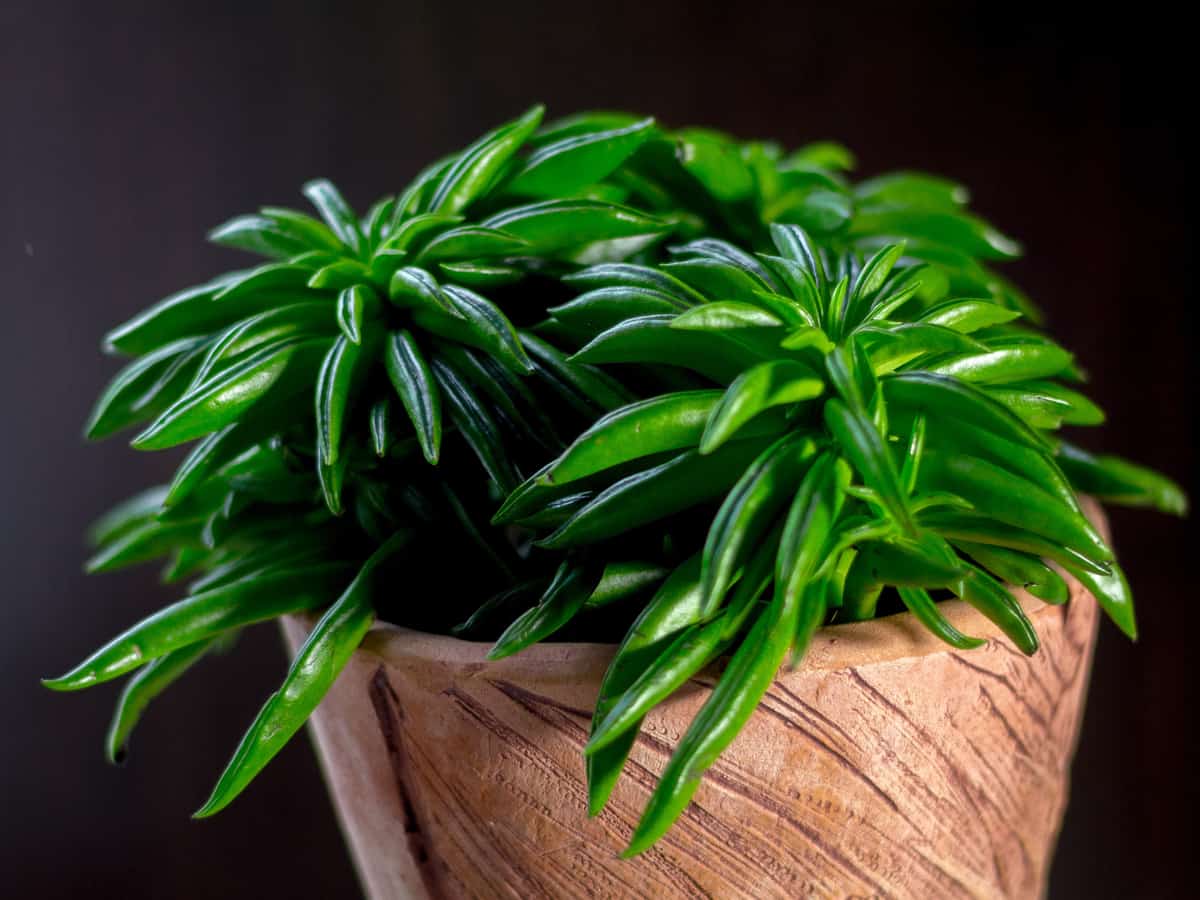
(365, 323)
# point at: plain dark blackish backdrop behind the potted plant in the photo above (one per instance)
(125, 134)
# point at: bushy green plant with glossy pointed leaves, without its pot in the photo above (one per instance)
(661, 388)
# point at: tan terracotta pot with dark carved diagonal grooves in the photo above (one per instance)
(889, 765)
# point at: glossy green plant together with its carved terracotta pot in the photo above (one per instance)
(676, 411)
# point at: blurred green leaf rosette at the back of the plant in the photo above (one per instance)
(711, 184)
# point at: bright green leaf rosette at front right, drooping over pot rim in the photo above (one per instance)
(855, 428)
